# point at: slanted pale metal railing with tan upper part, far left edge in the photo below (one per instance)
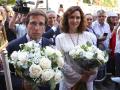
(4, 59)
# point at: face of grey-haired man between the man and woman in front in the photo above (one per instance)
(52, 18)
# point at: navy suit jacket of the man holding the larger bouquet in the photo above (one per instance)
(16, 80)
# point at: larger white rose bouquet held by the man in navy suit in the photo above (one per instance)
(38, 65)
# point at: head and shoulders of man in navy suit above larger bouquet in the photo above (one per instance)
(36, 21)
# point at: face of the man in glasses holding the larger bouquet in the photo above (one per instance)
(36, 27)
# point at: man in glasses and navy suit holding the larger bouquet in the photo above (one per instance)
(35, 22)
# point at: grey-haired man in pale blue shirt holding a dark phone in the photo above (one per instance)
(101, 27)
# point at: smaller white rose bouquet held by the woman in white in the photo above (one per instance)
(88, 56)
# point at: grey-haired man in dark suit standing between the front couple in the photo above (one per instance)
(52, 28)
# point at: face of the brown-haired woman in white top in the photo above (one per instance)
(74, 21)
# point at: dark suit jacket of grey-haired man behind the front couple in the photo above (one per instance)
(50, 34)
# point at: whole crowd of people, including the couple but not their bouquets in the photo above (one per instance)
(64, 32)
